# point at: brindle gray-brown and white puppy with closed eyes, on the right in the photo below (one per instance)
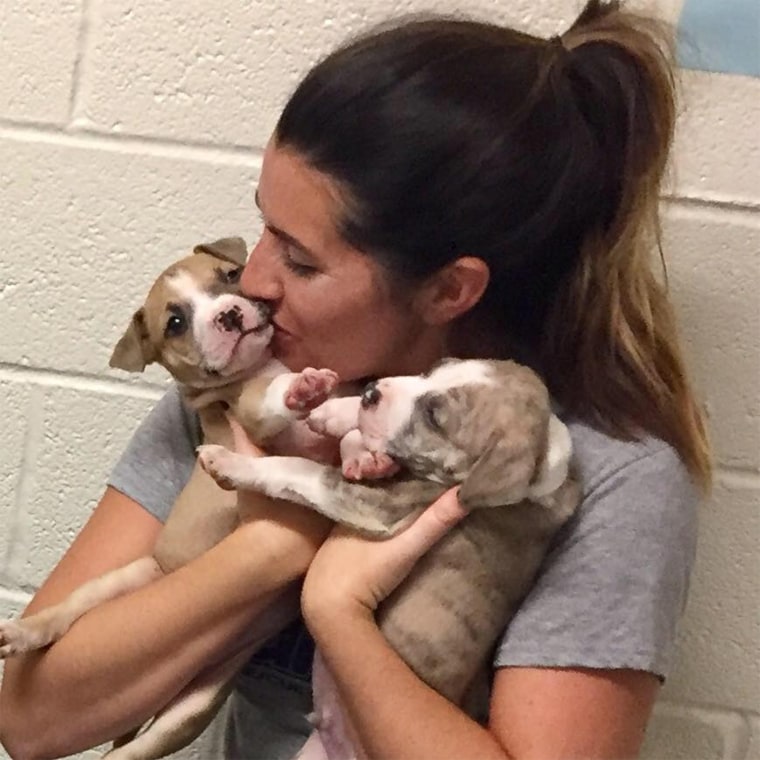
(486, 425)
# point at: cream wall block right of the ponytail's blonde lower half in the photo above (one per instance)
(714, 271)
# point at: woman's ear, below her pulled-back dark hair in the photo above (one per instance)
(453, 290)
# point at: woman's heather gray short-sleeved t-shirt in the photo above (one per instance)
(609, 594)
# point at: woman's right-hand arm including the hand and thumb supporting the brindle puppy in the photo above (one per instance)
(535, 712)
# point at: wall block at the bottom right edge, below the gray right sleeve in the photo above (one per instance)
(689, 733)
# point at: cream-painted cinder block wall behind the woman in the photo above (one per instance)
(131, 129)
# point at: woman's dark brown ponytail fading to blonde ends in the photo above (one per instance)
(611, 346)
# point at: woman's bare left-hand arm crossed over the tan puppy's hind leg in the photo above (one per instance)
(123, 660)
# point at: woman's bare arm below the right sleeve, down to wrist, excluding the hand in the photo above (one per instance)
(535, 713)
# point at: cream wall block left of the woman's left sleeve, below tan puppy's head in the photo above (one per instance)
(83, 434)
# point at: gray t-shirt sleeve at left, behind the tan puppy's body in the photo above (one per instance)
(159, 458)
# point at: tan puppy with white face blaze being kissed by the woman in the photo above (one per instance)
(215, 343)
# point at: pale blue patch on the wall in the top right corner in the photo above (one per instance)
(720, 35)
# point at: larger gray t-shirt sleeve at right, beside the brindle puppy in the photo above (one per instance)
(614, 585)
